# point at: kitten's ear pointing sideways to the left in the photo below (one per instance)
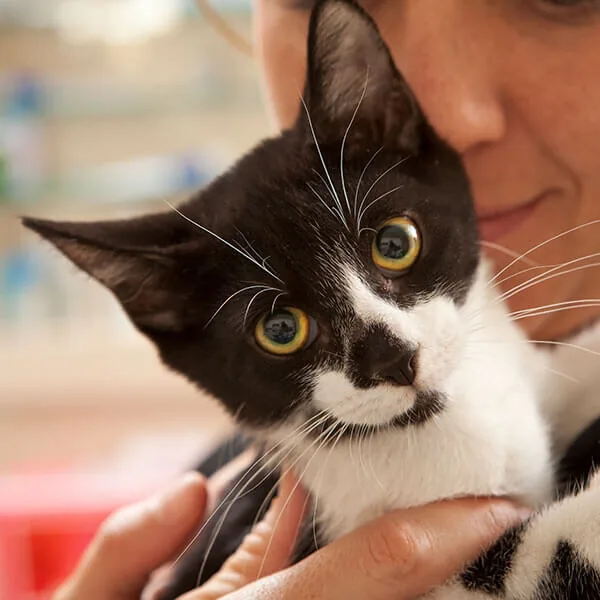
(140, 260)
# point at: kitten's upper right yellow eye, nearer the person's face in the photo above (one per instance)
(396, 246)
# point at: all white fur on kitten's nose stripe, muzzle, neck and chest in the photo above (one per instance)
(489, 440)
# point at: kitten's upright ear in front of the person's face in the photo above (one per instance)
(352, 78)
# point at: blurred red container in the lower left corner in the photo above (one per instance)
(48, 519)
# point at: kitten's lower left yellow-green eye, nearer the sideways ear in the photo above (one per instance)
(283, 332)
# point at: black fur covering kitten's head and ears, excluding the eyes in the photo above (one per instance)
(173, 277)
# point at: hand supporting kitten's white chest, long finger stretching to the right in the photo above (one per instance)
(400, 556)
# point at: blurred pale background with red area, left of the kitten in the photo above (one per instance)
(107, 108)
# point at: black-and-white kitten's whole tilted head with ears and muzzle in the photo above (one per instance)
(326, 272)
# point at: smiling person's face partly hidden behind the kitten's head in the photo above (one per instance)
(512, 86)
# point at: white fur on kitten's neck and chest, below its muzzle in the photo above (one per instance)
(489, 440)
